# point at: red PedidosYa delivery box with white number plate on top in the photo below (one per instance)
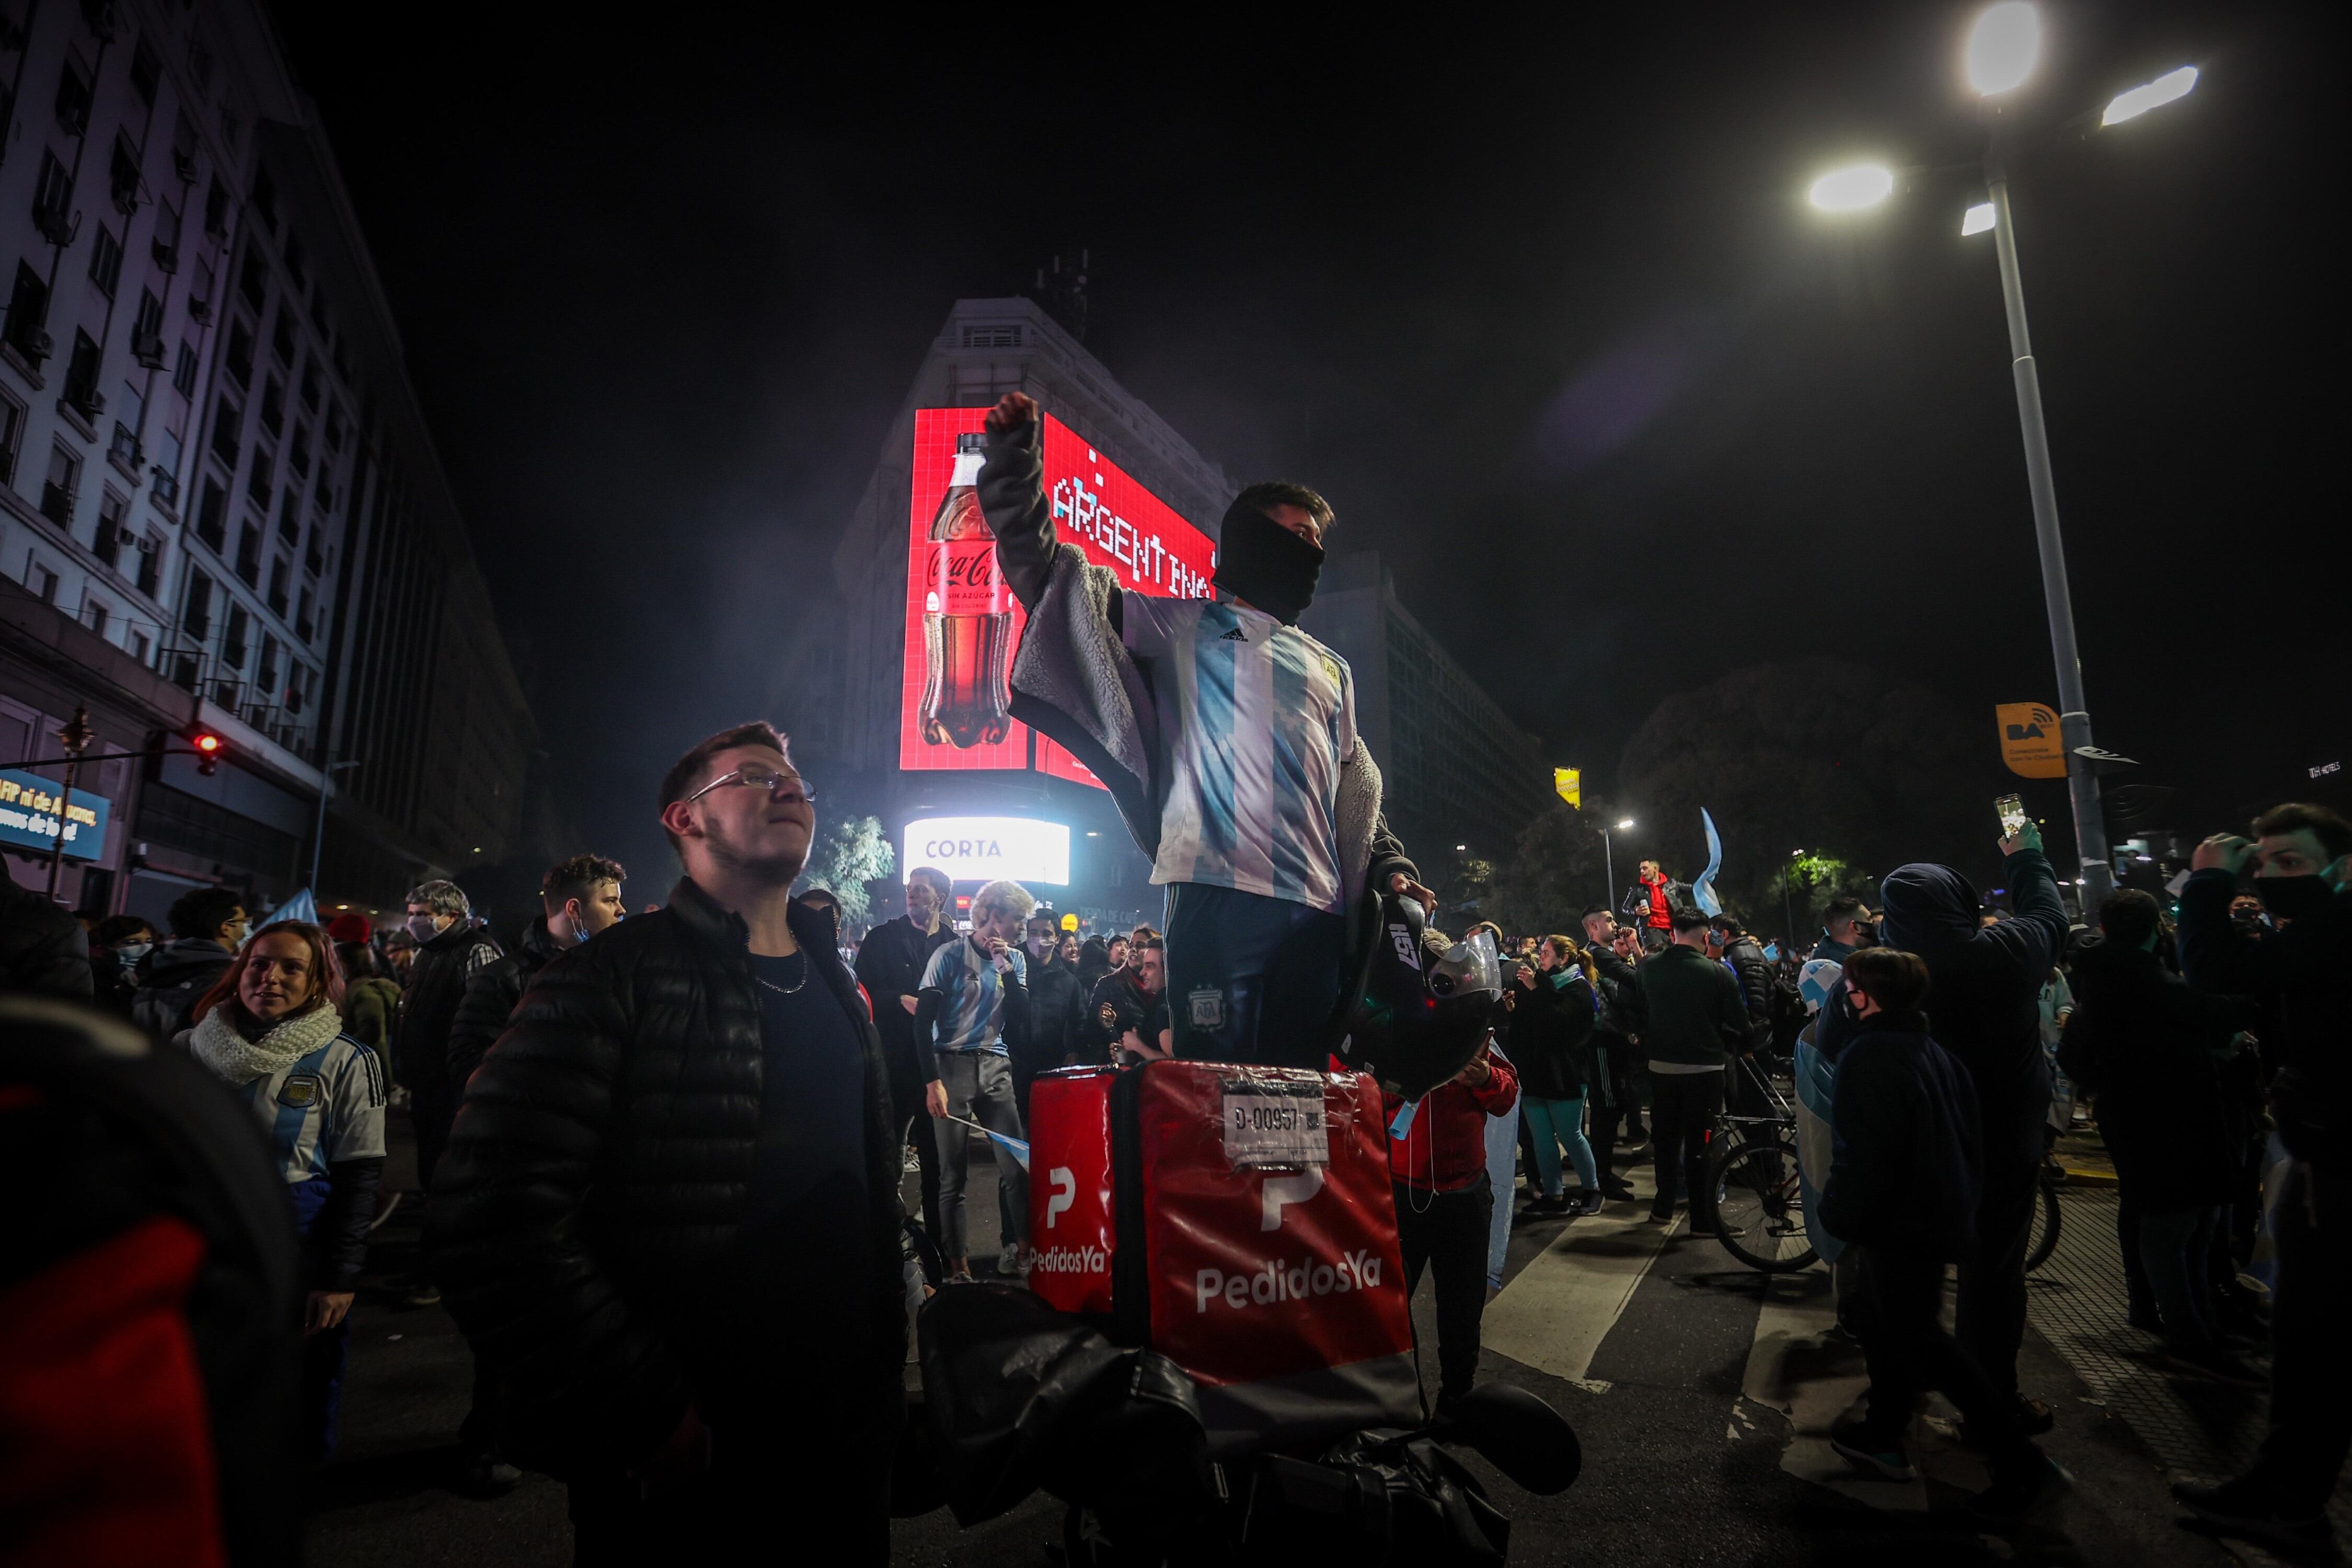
(1241, 1224)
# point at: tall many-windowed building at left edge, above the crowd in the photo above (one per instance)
(220, 507)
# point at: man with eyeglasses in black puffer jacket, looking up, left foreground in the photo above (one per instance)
(669, 1214)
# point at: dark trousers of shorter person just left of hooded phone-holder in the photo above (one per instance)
(1909, 1355)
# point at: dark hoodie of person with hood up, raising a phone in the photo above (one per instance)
(1984, 989)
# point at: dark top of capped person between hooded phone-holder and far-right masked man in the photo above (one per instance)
(2153, 1054)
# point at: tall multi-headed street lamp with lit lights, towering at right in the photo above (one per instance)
(2005, 46)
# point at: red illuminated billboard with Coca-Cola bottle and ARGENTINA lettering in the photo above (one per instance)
(963, 622)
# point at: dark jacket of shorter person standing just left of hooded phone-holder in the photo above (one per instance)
(1904, 1165)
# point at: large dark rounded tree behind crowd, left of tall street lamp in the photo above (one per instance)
(1819, 758)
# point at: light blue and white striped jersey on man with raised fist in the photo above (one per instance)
(1257, 721)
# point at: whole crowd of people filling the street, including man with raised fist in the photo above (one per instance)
(662, 1158)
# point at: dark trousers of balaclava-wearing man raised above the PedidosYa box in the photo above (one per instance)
(1252, 979)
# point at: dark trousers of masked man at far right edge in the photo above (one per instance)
(2311, 1355)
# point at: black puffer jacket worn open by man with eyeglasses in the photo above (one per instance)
(599, 1177)
